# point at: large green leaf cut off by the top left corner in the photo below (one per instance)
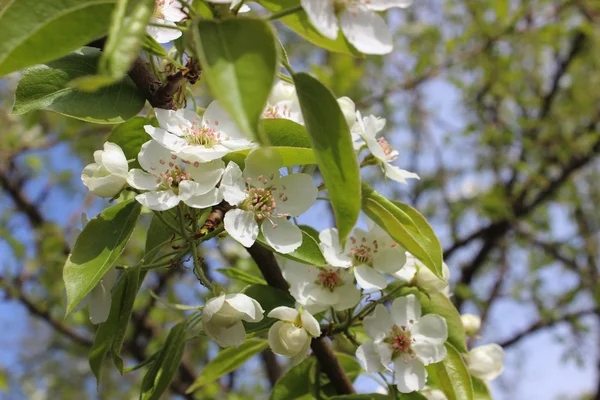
(38, 31)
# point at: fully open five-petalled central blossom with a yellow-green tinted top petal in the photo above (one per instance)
(265, 200)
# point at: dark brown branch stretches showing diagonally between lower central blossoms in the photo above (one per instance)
(265, 260)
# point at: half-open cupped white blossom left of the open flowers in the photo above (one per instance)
(107, 175)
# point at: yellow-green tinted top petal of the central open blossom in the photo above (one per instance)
(262, 167)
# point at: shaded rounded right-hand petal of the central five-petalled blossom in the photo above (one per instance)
(297, 194)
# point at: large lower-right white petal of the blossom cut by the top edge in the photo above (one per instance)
(366, 30)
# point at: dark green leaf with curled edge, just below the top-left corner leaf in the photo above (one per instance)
(46, 87)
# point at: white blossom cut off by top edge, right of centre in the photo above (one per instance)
(358, 20)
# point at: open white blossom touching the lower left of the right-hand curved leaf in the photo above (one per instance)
(371, 253)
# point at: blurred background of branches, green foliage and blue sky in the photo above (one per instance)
(494, 103)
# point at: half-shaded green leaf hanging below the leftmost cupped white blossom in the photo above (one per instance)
(97, 249)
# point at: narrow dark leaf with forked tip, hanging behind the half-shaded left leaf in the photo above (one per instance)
(111, 333)
